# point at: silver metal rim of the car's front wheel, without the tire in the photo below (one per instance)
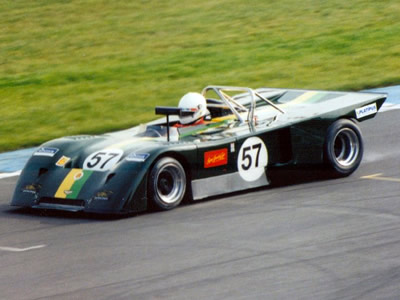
(170, 184)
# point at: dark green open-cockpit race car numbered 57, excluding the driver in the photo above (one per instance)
(158, 164)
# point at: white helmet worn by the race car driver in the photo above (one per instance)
(193, 107)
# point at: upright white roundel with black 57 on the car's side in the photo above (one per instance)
(252, 159)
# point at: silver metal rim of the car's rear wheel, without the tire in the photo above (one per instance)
(346, 147)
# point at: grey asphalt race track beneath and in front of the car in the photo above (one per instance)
(304, 238)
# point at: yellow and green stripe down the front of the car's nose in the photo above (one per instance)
(72, 184)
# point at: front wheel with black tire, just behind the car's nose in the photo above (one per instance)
(167, 184)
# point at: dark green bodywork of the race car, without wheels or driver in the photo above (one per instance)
(293, 133)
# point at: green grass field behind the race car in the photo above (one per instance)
(91, 66)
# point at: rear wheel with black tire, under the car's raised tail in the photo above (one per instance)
(343, 149)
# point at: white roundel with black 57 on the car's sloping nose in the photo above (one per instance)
(102, 160)
